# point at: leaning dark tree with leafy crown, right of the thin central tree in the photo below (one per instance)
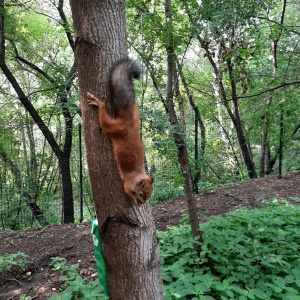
(222, 49)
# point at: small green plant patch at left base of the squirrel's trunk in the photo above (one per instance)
(74, 286)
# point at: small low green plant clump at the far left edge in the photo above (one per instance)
(8, 261)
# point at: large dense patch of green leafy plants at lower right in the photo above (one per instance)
(245, 255)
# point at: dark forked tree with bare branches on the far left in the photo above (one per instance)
(63, 155)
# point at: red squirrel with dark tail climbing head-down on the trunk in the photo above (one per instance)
(124, 130)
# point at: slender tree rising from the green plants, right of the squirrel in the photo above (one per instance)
(167, 40)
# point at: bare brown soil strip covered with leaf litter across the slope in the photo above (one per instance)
(74, 241)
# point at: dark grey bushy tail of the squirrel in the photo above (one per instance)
(121, 78)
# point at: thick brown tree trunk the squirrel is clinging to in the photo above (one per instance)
(129, 243)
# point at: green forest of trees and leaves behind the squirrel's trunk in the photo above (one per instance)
(235, 94)
